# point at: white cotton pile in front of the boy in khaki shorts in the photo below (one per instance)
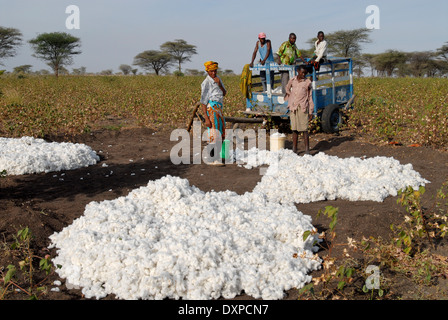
(304, 179)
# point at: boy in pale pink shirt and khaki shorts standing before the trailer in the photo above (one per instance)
(301, 107)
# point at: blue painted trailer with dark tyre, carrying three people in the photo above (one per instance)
(332, 93)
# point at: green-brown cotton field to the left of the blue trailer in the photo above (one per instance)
(47, 105)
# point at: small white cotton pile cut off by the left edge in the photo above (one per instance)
(29, 155)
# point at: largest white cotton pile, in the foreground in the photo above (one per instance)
(171, 240)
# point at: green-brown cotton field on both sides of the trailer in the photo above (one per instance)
(406, 110)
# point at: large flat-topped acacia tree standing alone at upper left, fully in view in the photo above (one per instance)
(57, 48)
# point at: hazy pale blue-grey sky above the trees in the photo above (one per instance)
(113, 32)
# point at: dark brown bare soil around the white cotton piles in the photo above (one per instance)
(46, 203)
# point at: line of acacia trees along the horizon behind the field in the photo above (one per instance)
(58, 48)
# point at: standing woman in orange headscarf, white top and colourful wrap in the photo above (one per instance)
(212, 96)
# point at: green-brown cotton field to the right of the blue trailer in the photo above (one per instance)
(403, 110)
